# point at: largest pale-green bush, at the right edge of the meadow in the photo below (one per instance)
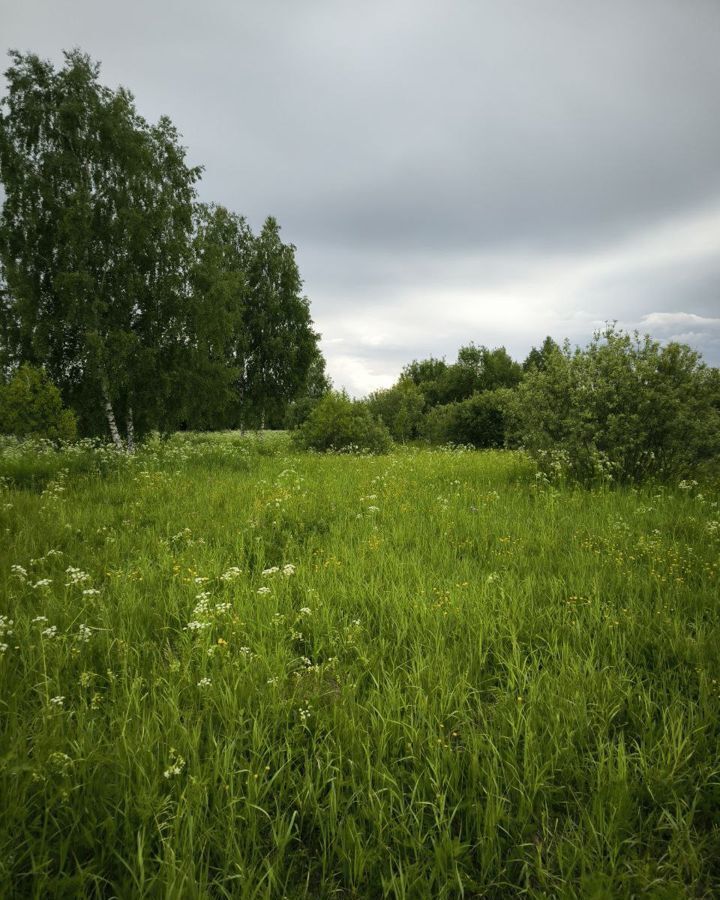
(625, 408)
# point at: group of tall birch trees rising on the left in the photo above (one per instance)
(146, 308)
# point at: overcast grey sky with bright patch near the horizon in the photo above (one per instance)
(461, 170)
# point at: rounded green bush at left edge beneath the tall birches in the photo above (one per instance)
(31, 406)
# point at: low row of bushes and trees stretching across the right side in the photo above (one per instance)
(624, 408)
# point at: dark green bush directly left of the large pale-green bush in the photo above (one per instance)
(479, 421)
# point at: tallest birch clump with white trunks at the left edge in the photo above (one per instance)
(94, 240)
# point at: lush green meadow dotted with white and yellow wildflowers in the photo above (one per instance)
(232, 671)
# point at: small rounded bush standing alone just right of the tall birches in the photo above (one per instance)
(339, 423)
